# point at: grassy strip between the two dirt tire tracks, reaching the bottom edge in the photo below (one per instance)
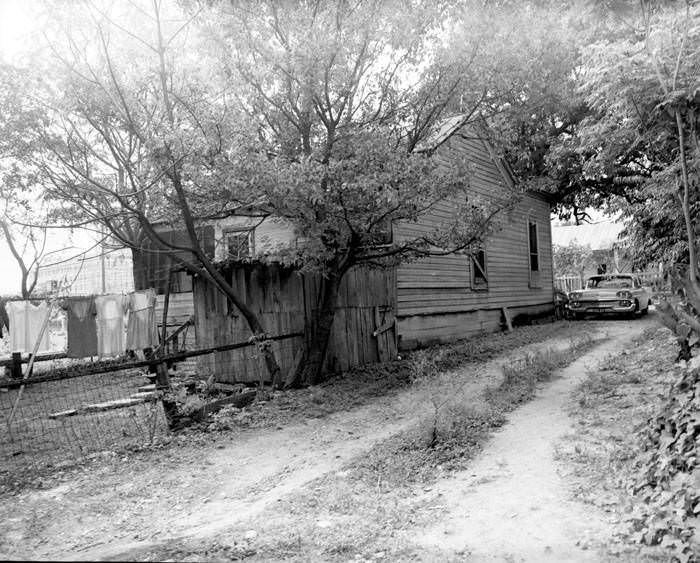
(363, 511)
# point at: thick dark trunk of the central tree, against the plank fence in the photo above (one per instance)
(310, 369)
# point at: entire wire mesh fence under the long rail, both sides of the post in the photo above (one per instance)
(76, 412)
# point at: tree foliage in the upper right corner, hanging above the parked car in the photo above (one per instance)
(631, 79)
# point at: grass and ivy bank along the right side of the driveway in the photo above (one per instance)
(606, 460)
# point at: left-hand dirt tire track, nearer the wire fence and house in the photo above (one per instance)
(227, 486)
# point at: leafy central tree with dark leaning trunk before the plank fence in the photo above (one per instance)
(341, 96)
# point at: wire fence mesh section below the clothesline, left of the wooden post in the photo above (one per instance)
(67, 418)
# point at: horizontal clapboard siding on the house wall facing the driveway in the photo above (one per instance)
(435, 300)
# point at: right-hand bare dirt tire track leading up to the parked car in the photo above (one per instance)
(511, 504)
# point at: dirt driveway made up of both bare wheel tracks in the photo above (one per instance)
(132, 505)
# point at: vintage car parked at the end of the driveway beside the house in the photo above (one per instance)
(619, 294)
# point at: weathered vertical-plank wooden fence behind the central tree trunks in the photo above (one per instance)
(364, 329)
